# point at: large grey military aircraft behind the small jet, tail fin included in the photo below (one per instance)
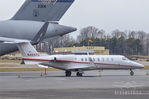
(31, 17)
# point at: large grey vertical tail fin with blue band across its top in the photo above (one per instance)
(43, 10)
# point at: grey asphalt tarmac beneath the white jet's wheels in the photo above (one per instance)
(94, 85)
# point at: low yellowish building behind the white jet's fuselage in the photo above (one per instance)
(94, 50)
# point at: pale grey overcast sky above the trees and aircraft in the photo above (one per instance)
(103, 14)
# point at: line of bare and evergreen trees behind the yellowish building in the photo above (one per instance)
(118, 42)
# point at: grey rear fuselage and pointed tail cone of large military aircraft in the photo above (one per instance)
(22, 29)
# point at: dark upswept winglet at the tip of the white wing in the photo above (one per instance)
(40, 35)
